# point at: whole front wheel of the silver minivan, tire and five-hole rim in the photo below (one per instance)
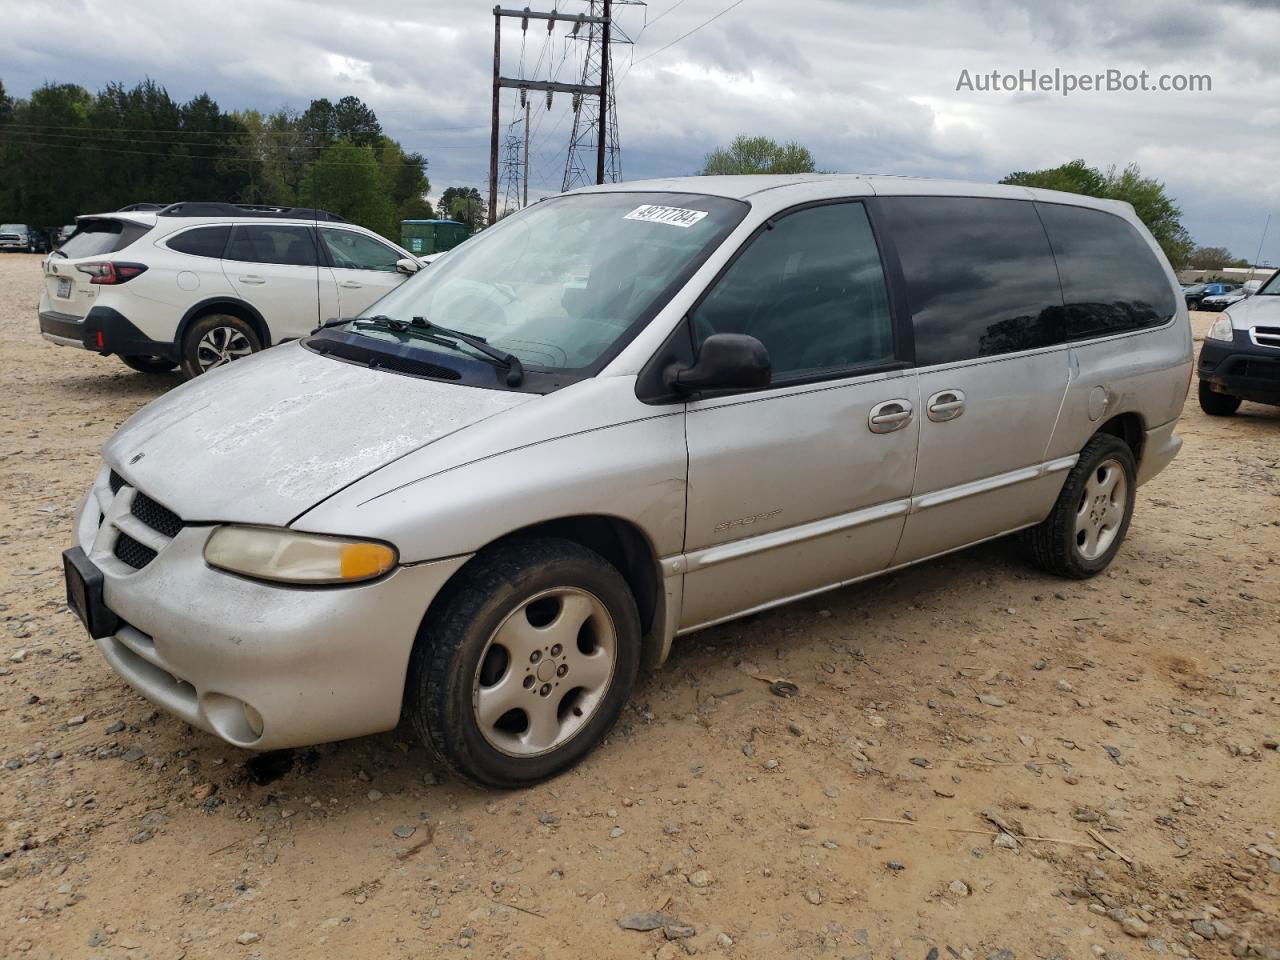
(527, 662)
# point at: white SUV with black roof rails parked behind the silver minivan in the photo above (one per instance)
(202, 285)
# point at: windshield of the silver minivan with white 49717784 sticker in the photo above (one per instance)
(564, 284)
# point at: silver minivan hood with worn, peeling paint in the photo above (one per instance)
(267, 438)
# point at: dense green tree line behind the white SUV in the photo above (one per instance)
(66, 152)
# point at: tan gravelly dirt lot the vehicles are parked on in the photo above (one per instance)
(1123, 732)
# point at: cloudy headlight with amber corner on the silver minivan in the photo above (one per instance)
(269, 554)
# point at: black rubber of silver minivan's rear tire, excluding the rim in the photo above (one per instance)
(1054, 545)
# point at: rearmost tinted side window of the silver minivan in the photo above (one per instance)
(1112, 281)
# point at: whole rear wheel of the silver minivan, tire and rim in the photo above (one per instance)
(1090, 520)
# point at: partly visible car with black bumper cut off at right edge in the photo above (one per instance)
(1241, 358)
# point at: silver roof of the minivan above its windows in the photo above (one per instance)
(746, 188)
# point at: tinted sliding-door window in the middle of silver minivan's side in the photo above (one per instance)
(980, 276)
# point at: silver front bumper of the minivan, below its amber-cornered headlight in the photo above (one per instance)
(313, 665)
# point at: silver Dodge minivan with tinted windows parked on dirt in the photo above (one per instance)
(624, 415)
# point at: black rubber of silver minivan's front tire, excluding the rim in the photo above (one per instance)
(445, 673)
